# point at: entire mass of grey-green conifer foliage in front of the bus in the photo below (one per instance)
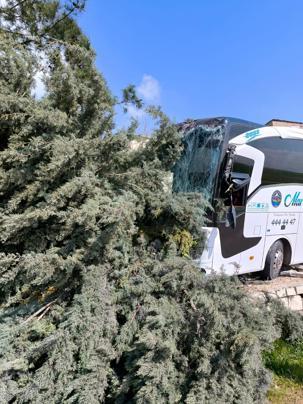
(97, 303)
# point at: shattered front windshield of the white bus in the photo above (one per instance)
(197, 168)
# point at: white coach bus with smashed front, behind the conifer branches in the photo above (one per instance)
(252, 176)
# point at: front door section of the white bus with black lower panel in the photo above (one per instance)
(242, 233)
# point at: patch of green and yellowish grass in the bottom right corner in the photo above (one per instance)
(286, 362)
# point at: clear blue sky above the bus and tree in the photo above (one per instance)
(203, 58)
